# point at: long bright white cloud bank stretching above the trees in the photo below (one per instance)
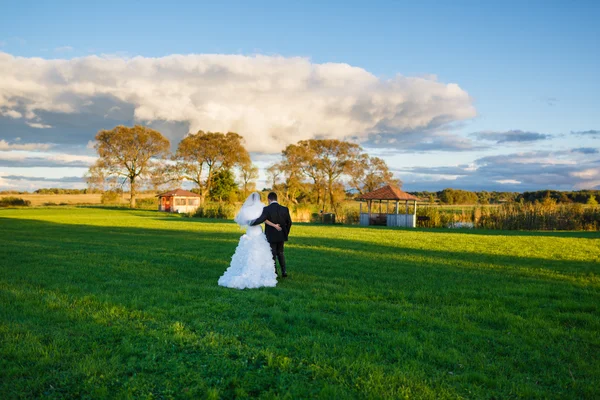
(272, 101)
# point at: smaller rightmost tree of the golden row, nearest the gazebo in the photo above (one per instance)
(370, 173)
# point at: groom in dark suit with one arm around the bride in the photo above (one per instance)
(277, 214)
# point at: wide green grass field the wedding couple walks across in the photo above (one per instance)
(100, 303)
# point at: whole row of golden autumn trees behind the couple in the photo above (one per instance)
(311, 170)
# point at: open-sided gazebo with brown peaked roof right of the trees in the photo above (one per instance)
(388, 194)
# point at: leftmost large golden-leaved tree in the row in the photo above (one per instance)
(128, 153)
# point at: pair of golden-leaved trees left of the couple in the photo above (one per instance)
(138, 157)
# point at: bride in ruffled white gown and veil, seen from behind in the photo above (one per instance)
(252, 264)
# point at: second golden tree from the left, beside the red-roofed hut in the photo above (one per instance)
(201, 156)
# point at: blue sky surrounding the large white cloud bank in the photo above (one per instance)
(527, 67)
